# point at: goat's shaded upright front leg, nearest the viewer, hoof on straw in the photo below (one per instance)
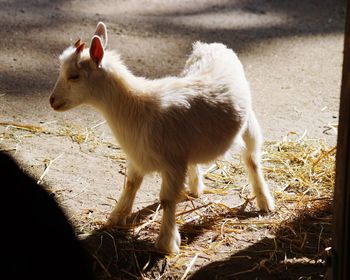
(169, 237)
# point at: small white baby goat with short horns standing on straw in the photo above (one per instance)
(166, 125)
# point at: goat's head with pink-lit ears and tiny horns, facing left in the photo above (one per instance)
(80, 70)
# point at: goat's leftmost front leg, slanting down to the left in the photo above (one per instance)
(126, 199)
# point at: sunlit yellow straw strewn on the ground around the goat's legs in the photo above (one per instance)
(301, 175)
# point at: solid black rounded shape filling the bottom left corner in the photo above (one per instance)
(37, 240)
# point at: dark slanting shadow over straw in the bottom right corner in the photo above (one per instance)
(296, 252)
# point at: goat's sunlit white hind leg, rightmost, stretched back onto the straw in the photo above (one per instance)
(251, 155)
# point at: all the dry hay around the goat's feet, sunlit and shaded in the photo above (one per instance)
(231, 242)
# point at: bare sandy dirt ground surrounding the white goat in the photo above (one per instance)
(292, 54)
